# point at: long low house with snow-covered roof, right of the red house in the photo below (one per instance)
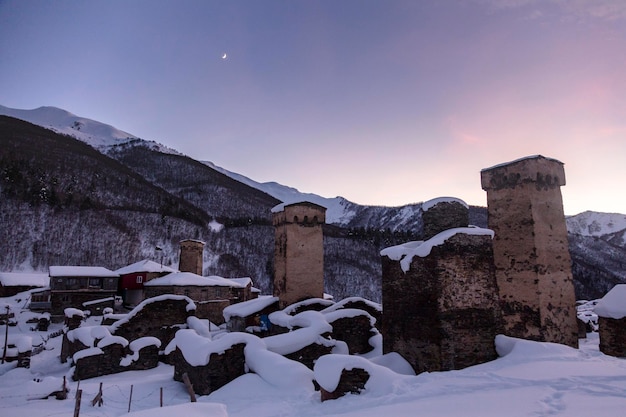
(211, 294)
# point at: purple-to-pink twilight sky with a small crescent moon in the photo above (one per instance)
(381, 102)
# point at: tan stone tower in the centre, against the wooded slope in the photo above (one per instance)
(298, 252)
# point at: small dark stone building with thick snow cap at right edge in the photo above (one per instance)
(611, 311)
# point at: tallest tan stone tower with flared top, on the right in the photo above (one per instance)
(531, 254)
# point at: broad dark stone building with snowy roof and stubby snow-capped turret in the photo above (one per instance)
(440, 298)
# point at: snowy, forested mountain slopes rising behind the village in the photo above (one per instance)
(353, 238)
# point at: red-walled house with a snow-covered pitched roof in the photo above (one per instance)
(134, 276)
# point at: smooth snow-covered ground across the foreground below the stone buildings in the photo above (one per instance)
(529, 379)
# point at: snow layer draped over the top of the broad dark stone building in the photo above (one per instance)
(406, 251)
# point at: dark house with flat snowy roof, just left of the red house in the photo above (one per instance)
(81, 286)
